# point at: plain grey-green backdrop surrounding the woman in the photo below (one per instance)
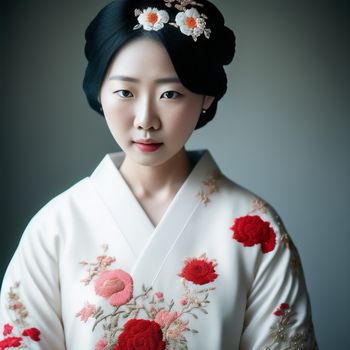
(282, 130)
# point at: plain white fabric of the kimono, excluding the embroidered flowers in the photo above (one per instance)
(101, 210)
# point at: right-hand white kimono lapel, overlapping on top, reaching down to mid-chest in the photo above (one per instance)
(173, 222)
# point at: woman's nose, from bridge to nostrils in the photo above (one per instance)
(146, 116)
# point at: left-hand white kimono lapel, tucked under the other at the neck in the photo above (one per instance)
(129, 216)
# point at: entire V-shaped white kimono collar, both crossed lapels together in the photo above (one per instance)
(150, 245)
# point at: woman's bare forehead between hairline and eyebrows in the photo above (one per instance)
(142, 57)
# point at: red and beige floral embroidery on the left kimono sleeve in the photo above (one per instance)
(22, 335)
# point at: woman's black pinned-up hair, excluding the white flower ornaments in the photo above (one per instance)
(198, 64)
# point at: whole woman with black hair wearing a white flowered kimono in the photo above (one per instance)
(156, 249)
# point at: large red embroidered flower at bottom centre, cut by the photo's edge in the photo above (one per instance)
(142, 335)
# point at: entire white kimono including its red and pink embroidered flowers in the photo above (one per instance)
(219, 271)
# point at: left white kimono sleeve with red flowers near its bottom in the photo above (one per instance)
(30, 310)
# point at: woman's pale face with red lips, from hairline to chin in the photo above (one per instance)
(149, 112)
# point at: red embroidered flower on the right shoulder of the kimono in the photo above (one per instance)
(250, 230)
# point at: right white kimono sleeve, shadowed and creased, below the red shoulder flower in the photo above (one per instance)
(278, 313)
